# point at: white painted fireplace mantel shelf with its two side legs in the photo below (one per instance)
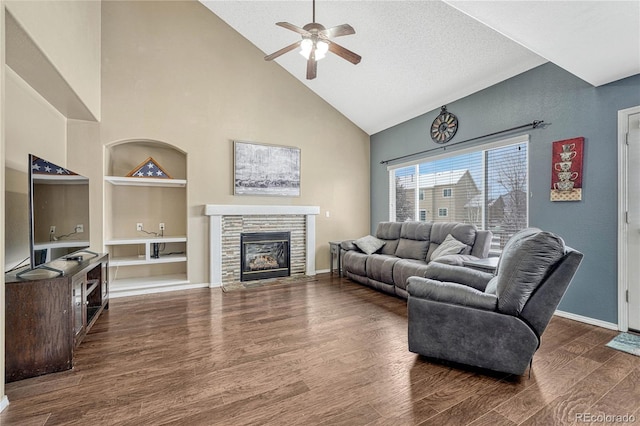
(217, 211)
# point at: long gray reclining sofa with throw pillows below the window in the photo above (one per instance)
(406, 250)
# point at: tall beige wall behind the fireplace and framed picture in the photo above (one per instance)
(174, 72)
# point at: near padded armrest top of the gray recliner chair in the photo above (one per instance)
(452, 293)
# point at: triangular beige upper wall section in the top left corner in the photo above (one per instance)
(68, 33)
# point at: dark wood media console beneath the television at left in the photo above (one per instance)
(46, 318)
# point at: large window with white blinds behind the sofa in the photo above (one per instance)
(486, 186)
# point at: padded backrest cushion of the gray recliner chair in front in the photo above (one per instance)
(526, 260)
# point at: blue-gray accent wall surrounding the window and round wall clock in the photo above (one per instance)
(571, 108)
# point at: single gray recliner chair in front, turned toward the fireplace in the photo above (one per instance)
(495, 322)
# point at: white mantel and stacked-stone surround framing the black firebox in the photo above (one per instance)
(220, 231)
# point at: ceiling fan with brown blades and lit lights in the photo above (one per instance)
(316, 41)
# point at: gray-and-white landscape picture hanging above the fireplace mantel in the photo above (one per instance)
(261, 169)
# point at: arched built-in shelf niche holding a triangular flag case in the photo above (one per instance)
(151, 259)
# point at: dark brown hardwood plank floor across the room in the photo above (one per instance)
(321, 352)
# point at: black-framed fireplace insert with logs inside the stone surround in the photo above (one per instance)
(264, 255)
